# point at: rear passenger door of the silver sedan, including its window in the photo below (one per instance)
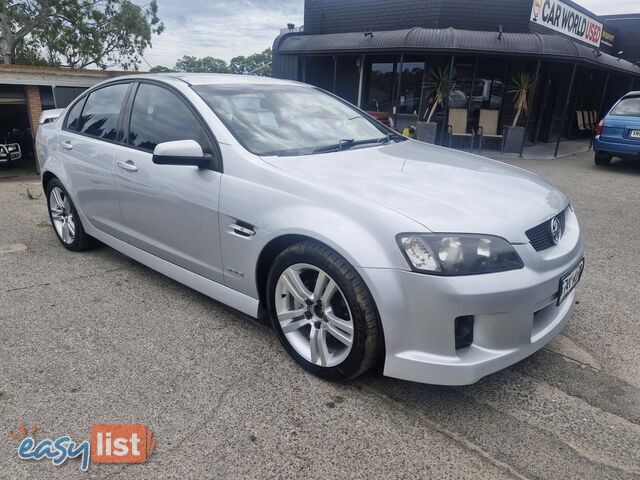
(89, 148)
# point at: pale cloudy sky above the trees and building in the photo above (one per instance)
(227, 28)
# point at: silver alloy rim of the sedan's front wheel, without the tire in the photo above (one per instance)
(314, 315)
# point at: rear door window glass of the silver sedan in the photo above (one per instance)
(102, 110)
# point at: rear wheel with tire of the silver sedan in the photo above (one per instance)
(65, 220)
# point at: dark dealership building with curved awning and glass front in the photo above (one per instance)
(386, 55)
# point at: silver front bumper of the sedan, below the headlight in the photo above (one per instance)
(515, 314)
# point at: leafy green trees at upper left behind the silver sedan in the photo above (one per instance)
(77, 33)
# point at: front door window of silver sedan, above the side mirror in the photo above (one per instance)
(159, 115)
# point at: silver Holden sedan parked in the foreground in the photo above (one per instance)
(279, 199)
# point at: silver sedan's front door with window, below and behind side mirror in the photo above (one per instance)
(169, 211)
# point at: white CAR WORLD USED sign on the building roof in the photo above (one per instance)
(562, 18)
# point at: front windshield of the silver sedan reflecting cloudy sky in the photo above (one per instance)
(290, 119)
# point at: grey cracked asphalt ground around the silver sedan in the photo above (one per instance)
(97, 338)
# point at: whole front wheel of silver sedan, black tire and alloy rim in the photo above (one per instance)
(350, 305)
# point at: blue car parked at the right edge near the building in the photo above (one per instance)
(618, 133)
